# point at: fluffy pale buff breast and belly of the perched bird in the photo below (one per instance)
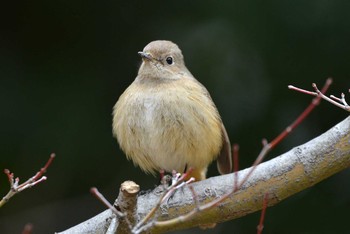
(168, 128)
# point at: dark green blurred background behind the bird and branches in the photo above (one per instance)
(63, 65)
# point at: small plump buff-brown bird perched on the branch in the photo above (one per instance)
(166, 119)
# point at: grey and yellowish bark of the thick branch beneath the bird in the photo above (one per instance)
(281, 177)
